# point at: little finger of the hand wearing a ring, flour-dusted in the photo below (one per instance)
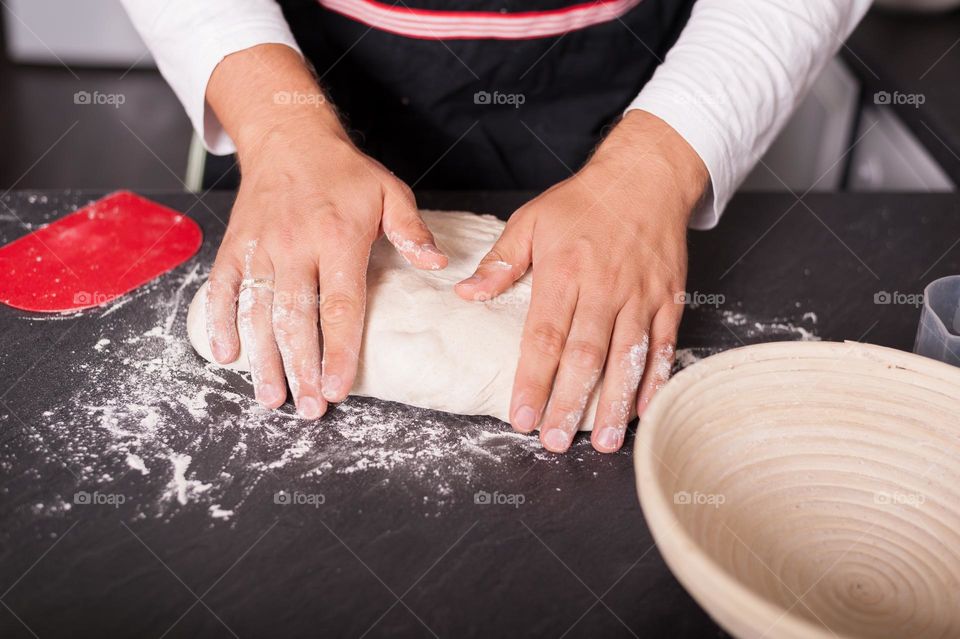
(221, 310)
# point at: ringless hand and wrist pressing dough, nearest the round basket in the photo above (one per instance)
(608, 246)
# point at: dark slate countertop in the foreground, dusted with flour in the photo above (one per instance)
(398, 546)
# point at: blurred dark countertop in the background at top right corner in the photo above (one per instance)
(914, 54)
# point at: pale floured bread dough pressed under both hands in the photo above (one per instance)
(423, 345)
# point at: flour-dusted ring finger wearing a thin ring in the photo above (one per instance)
(256, 330)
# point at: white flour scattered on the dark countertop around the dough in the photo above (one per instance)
(191, 436)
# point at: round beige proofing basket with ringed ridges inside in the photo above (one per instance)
(805, 489)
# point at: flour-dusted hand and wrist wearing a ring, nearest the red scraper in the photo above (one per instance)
(309, 207)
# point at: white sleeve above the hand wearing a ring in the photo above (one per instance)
(189, 38)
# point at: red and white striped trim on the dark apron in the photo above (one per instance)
(428, 24)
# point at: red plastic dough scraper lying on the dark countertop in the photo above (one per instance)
(95, 254)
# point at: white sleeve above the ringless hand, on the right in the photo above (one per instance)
(735, 75)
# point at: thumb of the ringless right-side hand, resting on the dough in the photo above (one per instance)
(506, 262)
